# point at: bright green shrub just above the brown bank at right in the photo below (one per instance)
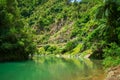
(112, 55)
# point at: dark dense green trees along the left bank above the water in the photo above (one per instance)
(16, 41)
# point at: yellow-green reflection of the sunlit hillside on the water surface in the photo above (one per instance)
(68, 67)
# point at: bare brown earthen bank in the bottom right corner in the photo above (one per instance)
(113, 73)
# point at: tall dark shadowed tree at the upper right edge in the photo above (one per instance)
(108, 11)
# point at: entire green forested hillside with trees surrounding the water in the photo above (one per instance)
(60, 27)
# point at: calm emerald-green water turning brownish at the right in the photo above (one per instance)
(51, 68)
